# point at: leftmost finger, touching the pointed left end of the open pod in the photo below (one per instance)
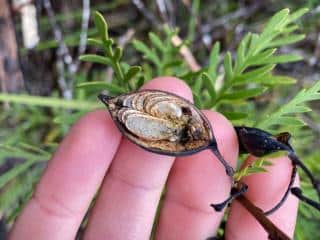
(70, 181)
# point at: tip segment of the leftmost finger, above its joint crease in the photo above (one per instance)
(83, 156)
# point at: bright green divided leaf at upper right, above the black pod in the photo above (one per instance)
(249, 73)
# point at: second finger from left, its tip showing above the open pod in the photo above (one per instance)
(129, 196)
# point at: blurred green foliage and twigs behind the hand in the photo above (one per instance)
(58, 88)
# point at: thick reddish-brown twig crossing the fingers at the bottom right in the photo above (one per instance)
(274, 232)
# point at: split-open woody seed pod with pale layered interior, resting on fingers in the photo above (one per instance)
(160, 122)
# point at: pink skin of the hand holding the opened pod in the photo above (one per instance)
(93, 155)
